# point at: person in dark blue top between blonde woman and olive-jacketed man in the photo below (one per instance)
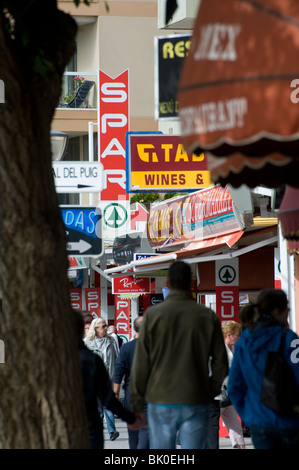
(137, 439)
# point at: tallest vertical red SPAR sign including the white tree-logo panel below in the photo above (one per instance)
(113, 123)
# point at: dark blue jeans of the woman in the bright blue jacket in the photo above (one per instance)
(270, 438)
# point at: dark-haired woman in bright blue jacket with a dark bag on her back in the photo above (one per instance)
(263, 325)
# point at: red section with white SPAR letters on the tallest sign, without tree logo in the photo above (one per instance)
(113, 123)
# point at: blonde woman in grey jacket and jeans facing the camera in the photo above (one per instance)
(98, 341)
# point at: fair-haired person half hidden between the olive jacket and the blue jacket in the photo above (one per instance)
(231, 333)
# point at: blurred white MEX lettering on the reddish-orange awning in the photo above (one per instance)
(217, 42)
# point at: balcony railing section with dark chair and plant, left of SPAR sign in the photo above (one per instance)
(79, 91)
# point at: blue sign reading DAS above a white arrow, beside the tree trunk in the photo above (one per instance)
(83, 227)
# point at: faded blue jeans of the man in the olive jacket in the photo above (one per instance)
(165, 421)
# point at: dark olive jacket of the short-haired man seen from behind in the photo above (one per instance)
(178, 340)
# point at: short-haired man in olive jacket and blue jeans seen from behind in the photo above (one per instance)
(178, 339)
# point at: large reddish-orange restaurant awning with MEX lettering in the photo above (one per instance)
(239, 90)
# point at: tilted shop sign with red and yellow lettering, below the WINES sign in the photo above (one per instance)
(202, 215)
